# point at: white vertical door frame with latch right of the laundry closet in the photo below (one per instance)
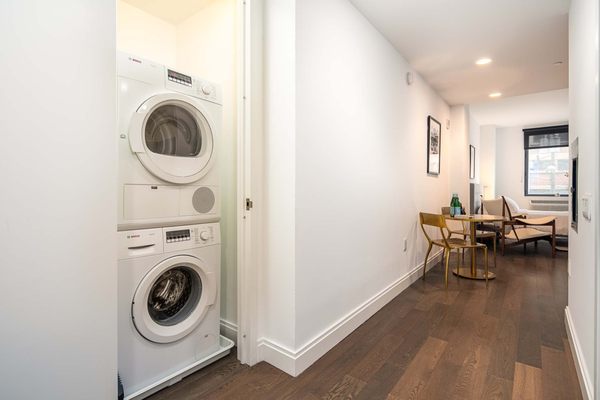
(249, 182)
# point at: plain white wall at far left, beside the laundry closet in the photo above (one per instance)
(58, 203)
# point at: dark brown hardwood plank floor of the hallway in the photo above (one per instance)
(507, 341)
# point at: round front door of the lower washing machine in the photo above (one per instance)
(172, 299)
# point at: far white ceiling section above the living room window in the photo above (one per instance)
(524, 111)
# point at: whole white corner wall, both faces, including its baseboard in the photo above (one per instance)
(346, 145)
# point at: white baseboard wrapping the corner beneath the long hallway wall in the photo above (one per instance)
(295, 362)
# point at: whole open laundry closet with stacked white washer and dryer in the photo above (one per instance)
(177, 124)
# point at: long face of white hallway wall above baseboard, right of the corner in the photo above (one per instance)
(360, 164)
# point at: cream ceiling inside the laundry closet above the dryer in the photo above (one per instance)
(169, 10)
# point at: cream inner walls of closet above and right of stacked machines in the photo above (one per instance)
(203, 45)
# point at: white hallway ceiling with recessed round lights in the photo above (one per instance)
(441, 39)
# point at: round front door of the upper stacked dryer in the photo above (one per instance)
(173, 138)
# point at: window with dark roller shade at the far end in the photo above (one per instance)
(547, 161)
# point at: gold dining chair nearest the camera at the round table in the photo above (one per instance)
(447, 243)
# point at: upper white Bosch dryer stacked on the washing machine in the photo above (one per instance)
(168, 126)
